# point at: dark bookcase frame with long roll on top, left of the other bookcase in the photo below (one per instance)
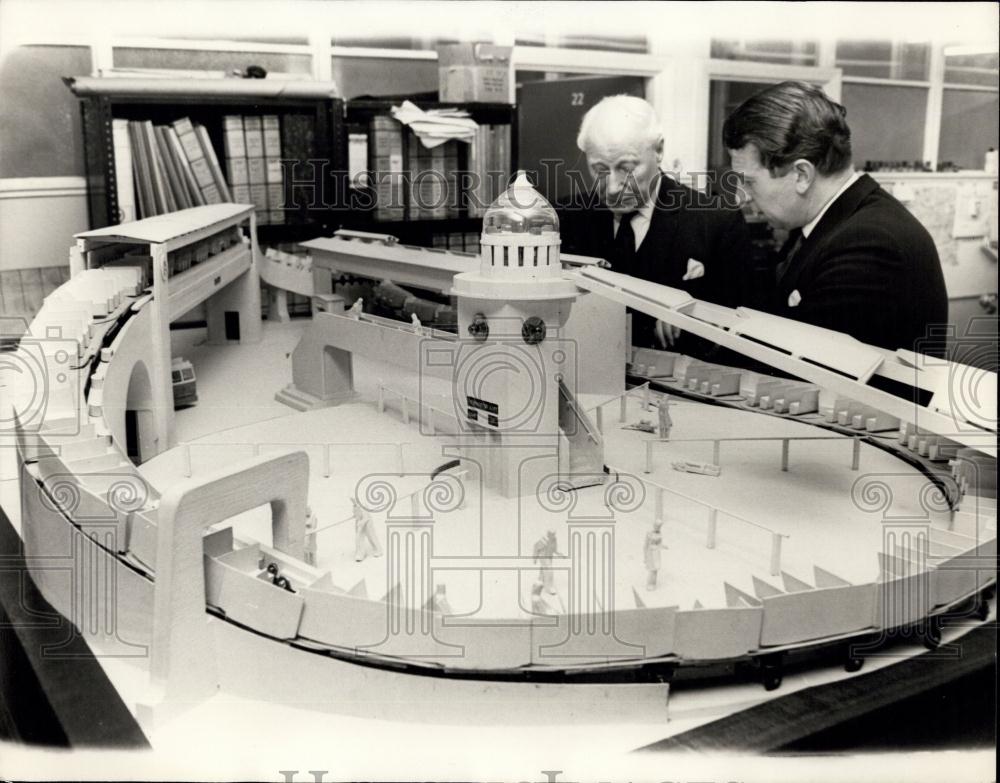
(311, 130)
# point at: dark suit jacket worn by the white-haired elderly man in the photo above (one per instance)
(685, 224)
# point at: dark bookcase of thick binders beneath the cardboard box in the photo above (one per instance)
(409, 227)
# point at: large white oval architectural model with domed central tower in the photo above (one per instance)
(844, 513)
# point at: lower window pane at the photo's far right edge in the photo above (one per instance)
(969, 127)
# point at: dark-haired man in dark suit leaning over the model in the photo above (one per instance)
(856, 260)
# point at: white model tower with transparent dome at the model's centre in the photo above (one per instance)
(514, 358)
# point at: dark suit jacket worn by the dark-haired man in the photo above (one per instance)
(868, 269)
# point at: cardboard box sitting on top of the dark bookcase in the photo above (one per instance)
(475, 72)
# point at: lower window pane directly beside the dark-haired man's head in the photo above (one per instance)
(869, 106)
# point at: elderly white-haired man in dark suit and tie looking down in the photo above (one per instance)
(646, 223)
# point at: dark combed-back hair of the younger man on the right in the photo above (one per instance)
(789, 121)
